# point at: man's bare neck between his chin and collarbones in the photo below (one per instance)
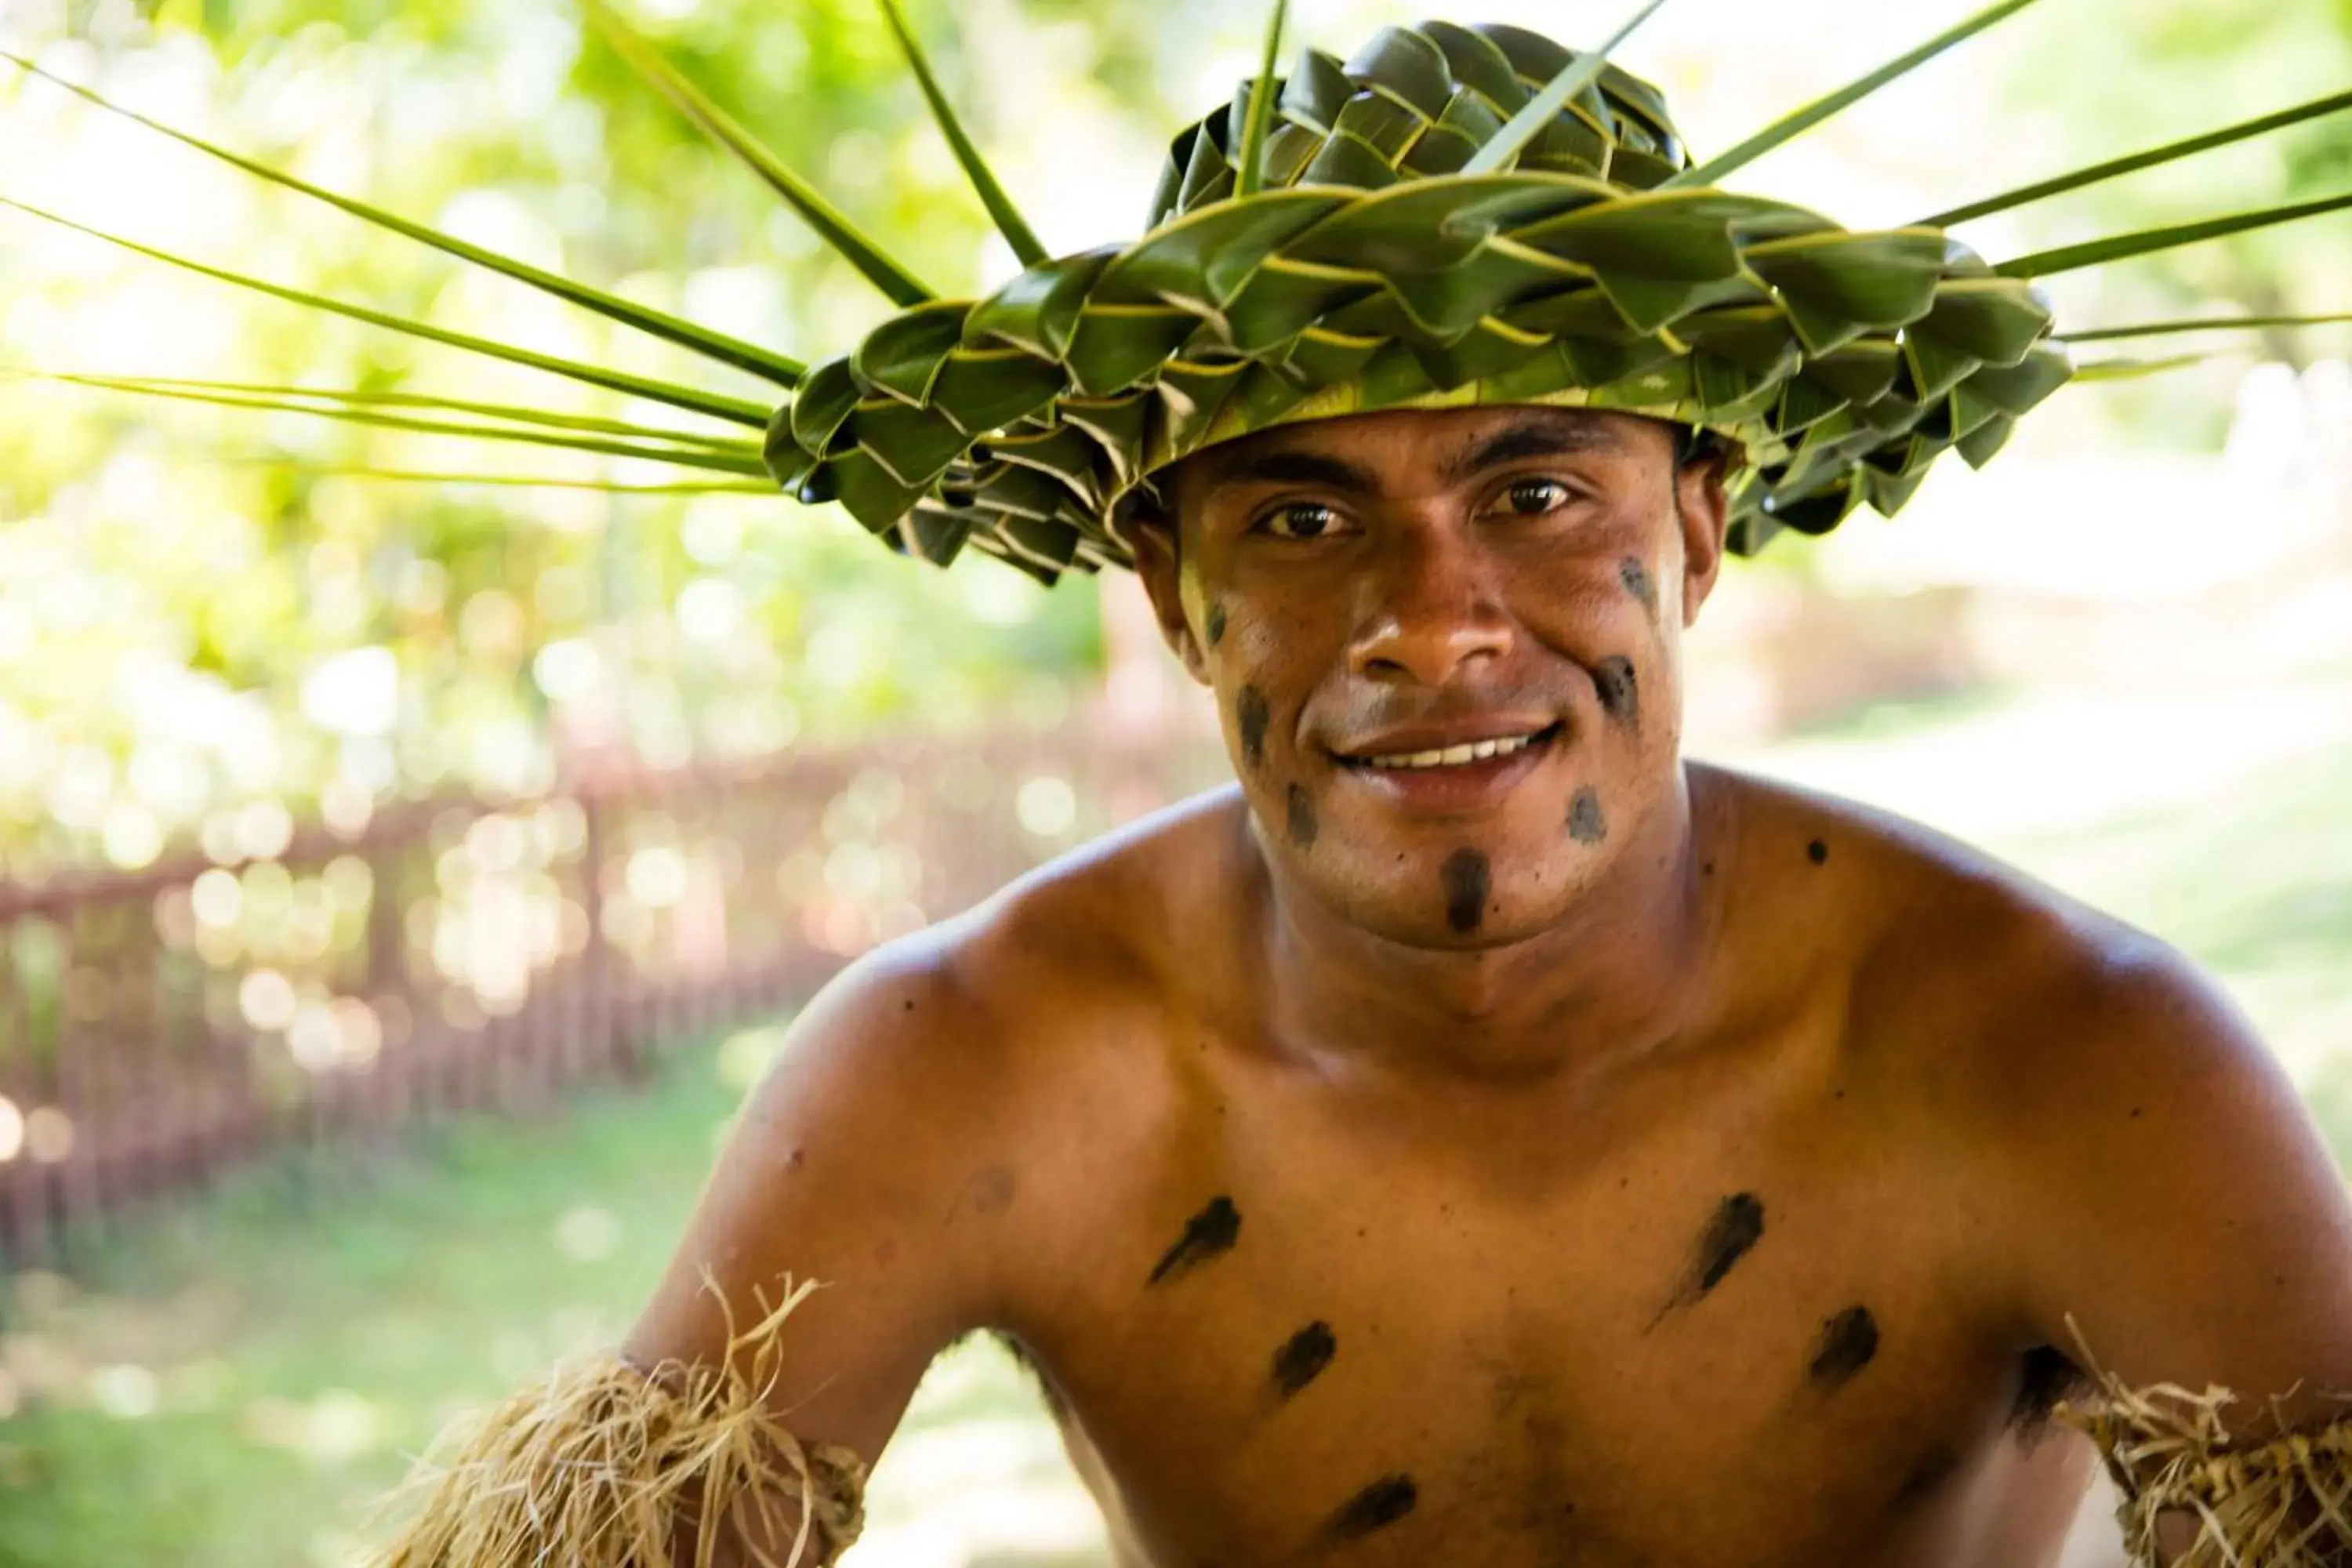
(1617, 977)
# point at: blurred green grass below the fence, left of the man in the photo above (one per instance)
(241, 1376)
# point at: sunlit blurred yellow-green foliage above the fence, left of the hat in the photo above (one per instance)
(142, 577)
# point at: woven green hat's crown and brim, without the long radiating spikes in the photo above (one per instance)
(1370, 272)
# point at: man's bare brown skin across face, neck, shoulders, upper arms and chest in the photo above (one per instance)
(1704, 1202)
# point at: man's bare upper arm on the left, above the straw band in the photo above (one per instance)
(862, 1162)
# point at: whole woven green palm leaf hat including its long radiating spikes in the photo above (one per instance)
(1457, 215)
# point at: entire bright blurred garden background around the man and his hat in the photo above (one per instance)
(401, 878)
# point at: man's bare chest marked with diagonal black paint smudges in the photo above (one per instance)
(1723, 1343)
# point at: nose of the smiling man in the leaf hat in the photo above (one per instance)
(1431, 615)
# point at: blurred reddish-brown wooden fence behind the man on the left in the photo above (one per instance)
(483, 956)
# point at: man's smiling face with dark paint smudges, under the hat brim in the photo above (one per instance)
(1445, 648)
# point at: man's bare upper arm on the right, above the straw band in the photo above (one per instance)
(2174, 1198)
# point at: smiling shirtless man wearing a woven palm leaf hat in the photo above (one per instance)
(1481, 1137)
